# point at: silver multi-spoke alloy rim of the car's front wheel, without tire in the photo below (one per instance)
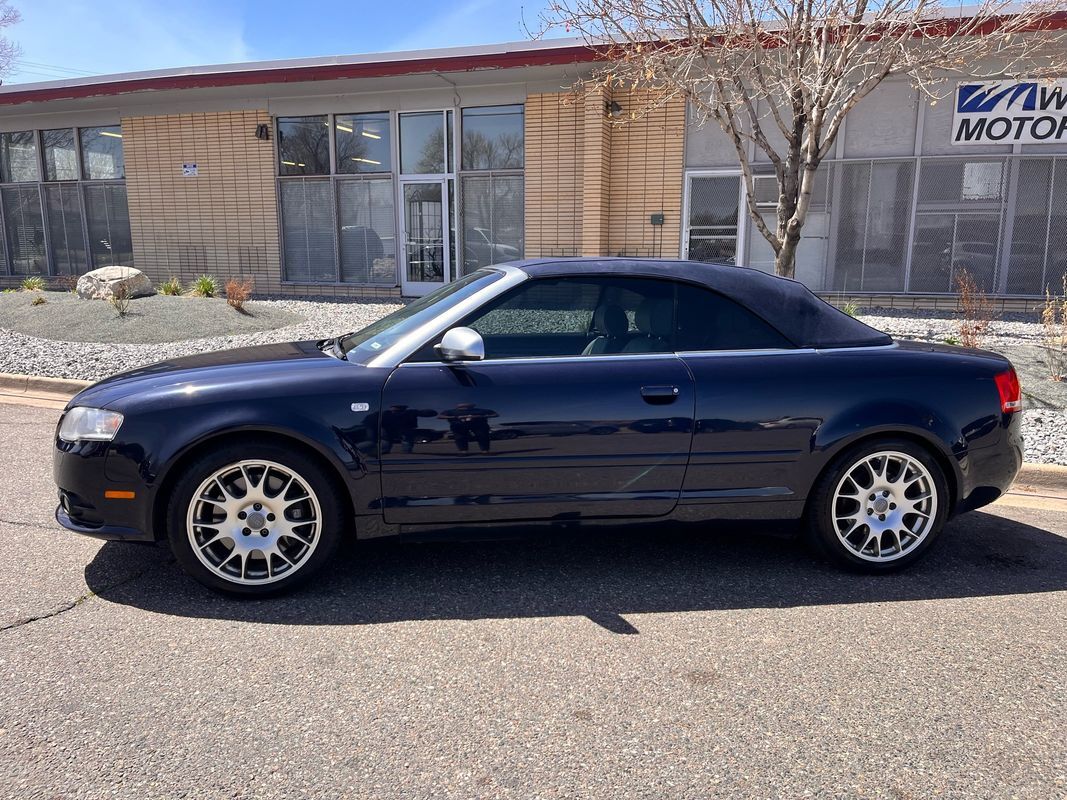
(254, 522)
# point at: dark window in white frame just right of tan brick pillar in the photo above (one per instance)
(714, 204)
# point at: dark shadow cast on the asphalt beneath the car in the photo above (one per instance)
(598, 573)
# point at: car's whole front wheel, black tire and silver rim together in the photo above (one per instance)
(254, 521)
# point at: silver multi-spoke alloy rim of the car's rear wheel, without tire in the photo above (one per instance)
(885, 506)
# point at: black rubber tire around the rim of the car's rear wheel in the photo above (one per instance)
(820, 522)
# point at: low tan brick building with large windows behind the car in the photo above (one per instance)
(392, 174)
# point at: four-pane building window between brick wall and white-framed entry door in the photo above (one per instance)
(339, 228)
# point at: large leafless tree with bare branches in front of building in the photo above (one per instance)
(779, 77)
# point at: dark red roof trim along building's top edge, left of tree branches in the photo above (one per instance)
(570, 55)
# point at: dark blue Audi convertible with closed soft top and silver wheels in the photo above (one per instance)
(555, 391)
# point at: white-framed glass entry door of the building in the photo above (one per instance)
(426, 242)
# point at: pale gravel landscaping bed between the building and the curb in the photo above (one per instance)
(63, 348)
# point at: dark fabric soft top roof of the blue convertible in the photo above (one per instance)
(802, 317)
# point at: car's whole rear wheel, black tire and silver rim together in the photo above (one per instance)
(880, 506)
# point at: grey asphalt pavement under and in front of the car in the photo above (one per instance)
(624, 664)
